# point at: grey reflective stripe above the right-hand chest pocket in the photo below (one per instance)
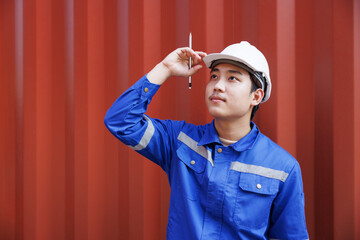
(258, 170)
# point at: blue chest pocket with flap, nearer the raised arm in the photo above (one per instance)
(190, 172)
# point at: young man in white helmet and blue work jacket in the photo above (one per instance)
(228, 181)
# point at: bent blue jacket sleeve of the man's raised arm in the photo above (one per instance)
(126, 120)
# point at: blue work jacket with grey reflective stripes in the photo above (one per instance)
(251, 189)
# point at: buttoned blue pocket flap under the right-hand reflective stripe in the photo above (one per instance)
(258, 184)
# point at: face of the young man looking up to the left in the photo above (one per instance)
(228, 93)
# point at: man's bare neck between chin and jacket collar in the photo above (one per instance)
(232, 130)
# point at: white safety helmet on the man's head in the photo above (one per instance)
(248, 55)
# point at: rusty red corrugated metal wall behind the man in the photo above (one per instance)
(63, 63)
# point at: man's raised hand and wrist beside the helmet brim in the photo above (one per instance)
(176, 64)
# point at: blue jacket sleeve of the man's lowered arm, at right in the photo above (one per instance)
(288, 215)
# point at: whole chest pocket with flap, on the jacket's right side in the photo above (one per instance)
(254, 199)
